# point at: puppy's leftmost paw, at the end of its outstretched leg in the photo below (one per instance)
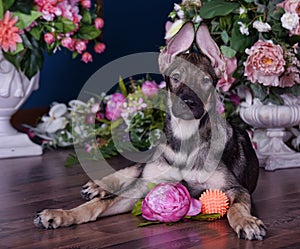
(50, 219)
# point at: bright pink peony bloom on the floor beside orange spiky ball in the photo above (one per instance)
(169, 202)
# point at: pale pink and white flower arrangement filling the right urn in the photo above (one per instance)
(258, 41)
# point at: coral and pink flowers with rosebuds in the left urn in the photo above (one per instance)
(30, 28)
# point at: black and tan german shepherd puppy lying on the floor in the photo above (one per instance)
(201, 150)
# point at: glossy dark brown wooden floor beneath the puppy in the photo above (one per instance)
(31, 184)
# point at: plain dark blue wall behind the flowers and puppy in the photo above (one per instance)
(130, 27)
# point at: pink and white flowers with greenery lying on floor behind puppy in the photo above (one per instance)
(132, 116)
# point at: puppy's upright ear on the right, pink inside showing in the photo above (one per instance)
(209, 48)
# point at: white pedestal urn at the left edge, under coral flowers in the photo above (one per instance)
(15, 88)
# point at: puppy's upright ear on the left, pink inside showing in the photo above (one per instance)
(180, 43)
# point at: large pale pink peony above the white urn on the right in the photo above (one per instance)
(264, 64)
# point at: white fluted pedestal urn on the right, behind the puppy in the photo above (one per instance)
(274, 119)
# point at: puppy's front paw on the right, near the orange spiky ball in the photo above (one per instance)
(251, 228)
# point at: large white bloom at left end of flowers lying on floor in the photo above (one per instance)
(55, 121)
